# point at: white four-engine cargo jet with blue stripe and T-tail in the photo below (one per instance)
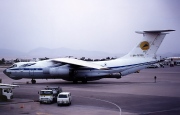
(70, 69)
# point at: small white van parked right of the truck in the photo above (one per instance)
(64, 98)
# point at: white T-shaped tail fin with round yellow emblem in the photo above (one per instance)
(149, 45)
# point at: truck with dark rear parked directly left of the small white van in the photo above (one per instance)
(49, 94)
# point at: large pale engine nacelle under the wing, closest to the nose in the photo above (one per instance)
(59, 71)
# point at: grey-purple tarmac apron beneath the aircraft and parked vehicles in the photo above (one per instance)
(134, 94)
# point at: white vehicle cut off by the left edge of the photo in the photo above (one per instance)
(6, 91)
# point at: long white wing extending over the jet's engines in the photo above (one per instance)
(82, 63)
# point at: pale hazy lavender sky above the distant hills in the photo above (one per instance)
(94, 25)
